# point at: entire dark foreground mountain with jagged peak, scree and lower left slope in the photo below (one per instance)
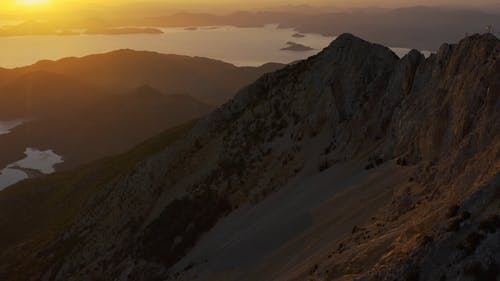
(351, 165)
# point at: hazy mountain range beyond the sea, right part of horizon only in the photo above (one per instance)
(402, 27)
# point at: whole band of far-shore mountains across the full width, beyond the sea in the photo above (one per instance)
(402, 27)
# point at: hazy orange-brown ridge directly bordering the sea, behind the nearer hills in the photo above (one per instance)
(122, 70)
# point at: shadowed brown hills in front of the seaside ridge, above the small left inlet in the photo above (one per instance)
(84, 123)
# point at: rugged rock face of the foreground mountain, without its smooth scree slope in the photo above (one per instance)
(353, 102)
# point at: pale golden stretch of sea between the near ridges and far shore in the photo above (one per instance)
(240, 46)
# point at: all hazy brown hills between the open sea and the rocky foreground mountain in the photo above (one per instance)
(88, 108)
